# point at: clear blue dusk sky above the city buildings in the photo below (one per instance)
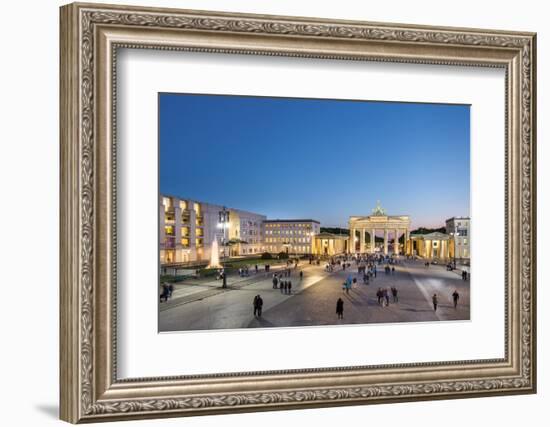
(316, 158)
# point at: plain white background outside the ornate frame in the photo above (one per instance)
(29, 171)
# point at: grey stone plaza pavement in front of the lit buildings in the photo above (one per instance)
(313, 301)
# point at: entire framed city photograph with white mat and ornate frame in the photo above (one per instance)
(266, 213)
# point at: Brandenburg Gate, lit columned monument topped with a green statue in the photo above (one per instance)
(377, 221)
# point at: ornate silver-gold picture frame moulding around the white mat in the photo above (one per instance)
(90, 37)
